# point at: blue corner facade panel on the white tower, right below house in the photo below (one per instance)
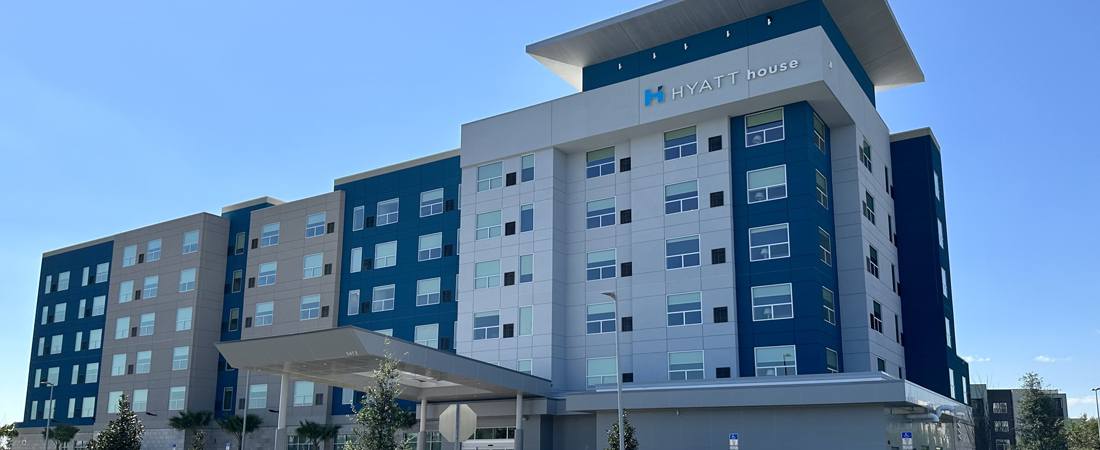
(805, 269)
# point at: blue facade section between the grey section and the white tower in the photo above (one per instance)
(405, 185)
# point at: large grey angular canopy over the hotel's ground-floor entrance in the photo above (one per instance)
(346, 357)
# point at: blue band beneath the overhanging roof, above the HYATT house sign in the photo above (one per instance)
(785, 21)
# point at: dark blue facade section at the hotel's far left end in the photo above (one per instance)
(69, 358)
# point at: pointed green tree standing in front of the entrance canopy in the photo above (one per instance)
(380, 418)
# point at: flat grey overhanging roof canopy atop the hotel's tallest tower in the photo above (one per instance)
(868, 26)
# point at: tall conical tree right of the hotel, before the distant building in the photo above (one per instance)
(1039, 424)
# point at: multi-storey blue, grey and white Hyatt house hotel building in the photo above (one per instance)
(720, 219)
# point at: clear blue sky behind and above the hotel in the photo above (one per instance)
(119, 116)
